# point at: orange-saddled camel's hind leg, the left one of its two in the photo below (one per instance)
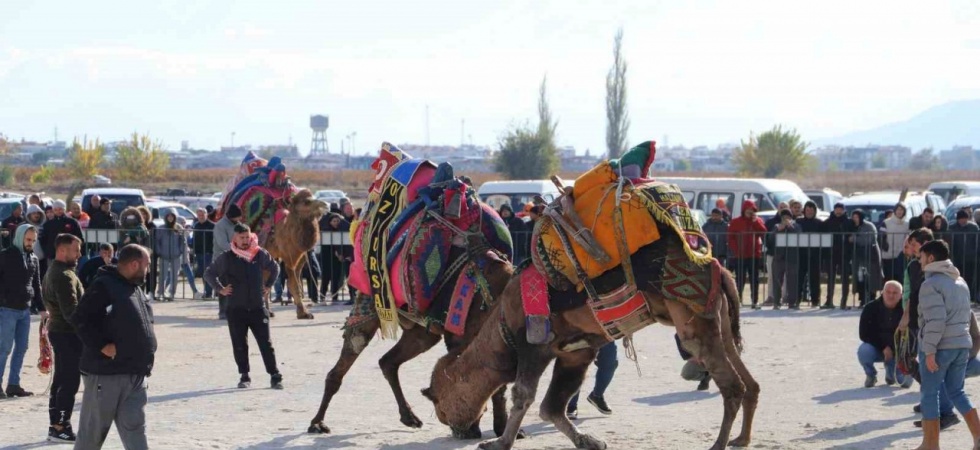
(704, 337)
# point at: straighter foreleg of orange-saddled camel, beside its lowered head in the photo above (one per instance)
(532, 362)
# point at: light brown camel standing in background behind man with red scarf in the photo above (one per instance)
(292, 238)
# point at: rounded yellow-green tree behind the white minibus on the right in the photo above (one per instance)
(772, 153)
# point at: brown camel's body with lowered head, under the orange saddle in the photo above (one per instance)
(462, 381)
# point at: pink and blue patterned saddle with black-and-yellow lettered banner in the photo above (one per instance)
(417, 213)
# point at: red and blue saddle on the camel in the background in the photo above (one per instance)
(261, 190)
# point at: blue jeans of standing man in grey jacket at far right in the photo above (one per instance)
(949, 378)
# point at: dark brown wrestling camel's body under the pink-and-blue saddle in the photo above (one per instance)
(415, 340)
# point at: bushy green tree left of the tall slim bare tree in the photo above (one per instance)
(526, 154)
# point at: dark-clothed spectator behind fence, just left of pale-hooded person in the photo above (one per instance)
(867, 258)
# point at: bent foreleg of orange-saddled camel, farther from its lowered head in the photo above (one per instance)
(568, 375)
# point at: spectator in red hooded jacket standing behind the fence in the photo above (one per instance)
(745, 248)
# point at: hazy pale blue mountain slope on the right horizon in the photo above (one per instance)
(940, 127)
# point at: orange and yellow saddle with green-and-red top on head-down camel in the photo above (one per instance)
(587, 240)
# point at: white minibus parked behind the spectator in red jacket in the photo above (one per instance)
(703, 193)
